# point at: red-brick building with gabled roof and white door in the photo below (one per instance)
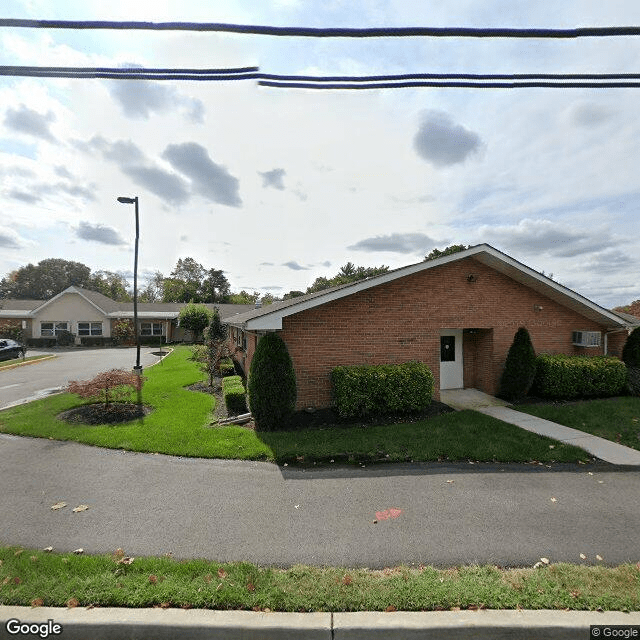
(458, 314)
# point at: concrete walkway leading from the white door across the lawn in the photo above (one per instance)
(606, 450)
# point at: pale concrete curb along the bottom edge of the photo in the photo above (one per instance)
(197, 624)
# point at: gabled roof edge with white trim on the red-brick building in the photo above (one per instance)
(270, 317)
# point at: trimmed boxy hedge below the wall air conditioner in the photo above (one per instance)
(562, 376)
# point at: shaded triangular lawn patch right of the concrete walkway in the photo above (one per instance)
(616, 419)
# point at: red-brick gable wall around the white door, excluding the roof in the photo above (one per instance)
(401, 321)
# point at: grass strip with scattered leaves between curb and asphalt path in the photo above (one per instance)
(37, 578)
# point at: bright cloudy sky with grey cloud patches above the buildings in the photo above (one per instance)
(277, 187)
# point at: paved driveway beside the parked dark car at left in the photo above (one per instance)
(37, 380)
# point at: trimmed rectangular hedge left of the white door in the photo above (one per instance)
(364, 390)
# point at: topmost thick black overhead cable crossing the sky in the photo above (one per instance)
(329, 32)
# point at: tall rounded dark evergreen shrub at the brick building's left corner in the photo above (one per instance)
(272, 384)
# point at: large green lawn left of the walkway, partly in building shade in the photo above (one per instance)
(179, 423)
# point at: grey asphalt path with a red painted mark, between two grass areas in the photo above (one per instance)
(439, 514)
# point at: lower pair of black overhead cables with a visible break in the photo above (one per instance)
(434, 80)
